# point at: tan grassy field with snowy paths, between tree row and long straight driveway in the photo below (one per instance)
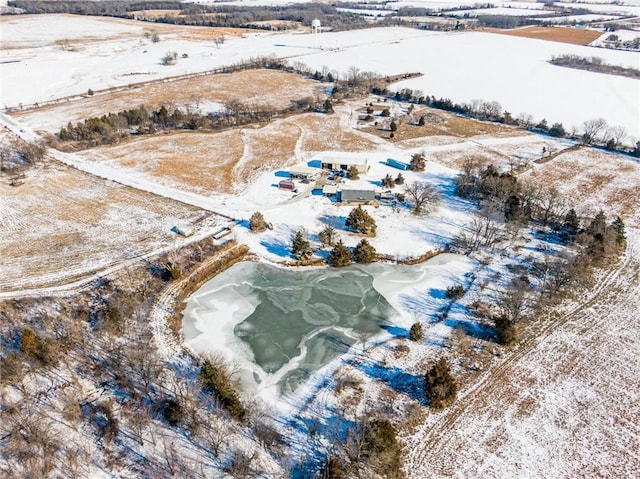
(225, 162)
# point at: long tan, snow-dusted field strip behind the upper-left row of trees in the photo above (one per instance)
(256, 87)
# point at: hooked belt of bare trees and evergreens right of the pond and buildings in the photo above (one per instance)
(507, 205)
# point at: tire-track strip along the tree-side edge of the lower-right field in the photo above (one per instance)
(417, 458)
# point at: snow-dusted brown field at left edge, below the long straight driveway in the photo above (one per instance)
(61, 225)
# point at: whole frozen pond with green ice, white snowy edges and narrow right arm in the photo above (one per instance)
(278, 326)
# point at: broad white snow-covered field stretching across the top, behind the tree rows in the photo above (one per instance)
(515, 72)
